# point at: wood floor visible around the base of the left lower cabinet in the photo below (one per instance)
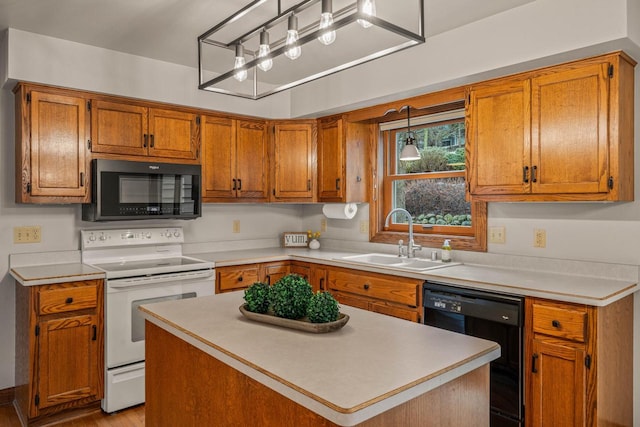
(133, 417)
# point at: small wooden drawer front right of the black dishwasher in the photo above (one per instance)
(562, 321)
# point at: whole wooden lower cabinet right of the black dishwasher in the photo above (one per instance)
(578, 363)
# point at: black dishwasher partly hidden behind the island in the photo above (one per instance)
(492, 316)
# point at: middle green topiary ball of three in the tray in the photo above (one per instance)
(290, 296)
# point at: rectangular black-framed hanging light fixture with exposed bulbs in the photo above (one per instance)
(262, 33)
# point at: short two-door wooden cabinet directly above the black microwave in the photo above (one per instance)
(131, 129)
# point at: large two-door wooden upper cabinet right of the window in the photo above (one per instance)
(560, 133)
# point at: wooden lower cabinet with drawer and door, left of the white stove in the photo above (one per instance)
(59, 348)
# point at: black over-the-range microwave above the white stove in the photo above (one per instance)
(125, 190)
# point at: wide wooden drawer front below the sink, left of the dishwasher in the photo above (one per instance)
(388, 288)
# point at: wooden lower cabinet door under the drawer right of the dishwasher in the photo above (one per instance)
(558, 385)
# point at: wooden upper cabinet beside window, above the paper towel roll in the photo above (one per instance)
(342, 160)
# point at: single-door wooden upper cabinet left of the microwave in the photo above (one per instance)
(52, 128)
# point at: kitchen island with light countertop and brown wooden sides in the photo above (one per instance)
(208, 365)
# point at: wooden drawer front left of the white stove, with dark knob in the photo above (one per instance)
(67, 297)
